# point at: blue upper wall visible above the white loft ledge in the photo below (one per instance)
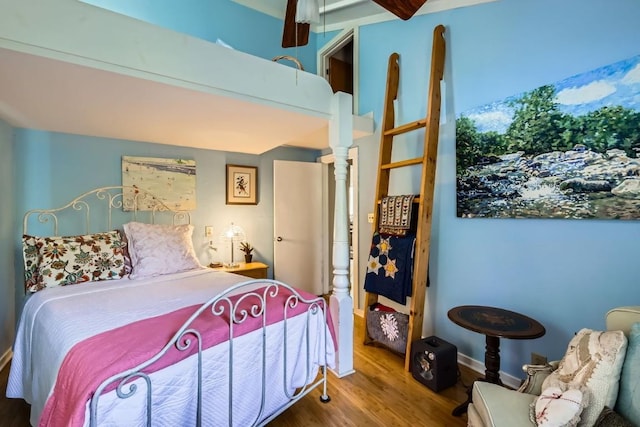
(238, 26)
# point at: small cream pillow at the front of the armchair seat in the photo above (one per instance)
(558, 408)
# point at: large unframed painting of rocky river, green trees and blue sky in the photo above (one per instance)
(568, 149)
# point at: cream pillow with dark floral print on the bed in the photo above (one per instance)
(74, 259)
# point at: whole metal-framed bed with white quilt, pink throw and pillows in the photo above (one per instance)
(125, 327)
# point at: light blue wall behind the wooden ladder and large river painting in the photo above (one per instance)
(564, 273)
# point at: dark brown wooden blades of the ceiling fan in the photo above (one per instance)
(297, 34)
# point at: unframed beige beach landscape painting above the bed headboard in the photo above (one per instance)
(173, 181)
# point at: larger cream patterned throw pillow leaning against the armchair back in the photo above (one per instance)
(593, 361)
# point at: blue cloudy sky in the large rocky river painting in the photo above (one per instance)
(611, 85)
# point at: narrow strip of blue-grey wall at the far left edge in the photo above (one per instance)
(7, 239)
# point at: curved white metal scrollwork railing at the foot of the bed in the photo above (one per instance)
(187, 337)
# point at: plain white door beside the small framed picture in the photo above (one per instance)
(297, 201)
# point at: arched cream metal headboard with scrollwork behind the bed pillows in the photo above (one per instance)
(103, 209)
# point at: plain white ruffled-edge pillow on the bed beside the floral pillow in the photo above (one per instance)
(157, 249)
